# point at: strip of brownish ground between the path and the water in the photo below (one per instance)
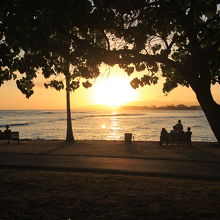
(199, 151)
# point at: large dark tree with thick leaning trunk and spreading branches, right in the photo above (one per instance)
(174, 39)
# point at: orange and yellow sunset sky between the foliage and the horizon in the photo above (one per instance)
(111, 89)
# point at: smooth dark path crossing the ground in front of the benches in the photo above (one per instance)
(131, 166)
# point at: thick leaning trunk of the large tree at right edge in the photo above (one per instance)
(210, 108)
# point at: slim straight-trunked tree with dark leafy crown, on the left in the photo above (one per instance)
(51, 37)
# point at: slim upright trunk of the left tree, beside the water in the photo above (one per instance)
(69, 130)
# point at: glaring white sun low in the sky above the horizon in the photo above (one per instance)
(113, 92)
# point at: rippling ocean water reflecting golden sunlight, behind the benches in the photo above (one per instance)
(145, 125)
